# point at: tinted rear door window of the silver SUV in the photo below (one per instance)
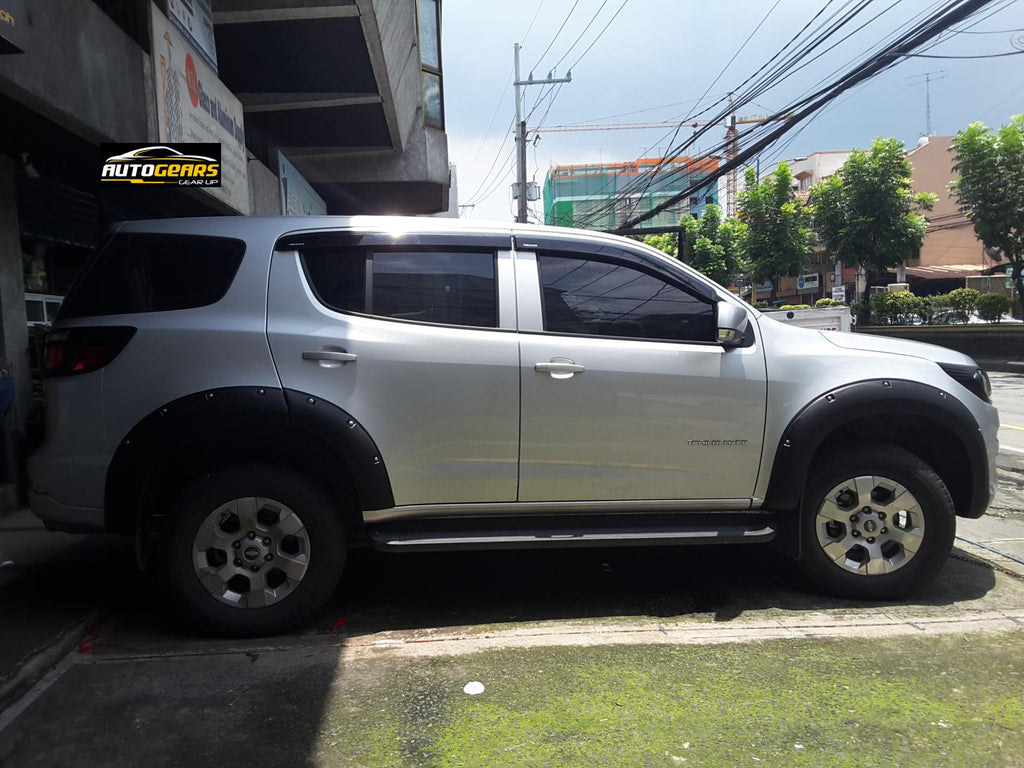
(453, 288)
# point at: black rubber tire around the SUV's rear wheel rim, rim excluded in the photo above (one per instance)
(321, 545)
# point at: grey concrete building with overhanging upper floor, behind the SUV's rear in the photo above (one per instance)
(319, 106)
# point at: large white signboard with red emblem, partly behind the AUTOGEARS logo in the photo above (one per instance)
(194, 106)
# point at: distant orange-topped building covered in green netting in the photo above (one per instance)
(603, 196)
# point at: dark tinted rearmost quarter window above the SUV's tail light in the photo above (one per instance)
(137, 273)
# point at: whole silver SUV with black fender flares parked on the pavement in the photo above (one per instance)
(249, 398)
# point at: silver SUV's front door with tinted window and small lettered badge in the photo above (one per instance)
(626, 395)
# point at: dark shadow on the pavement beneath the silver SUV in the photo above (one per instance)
(420, 591)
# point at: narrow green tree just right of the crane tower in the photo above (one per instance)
(778, 238)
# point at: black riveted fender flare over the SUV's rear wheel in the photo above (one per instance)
(194, 429)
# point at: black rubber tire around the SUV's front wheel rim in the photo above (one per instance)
(934, 516)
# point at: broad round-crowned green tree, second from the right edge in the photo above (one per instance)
(868, 215)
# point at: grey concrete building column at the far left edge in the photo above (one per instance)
(14, 331)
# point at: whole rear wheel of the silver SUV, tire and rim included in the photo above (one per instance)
(253, 550)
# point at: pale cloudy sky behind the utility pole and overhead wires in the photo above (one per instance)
(657, 59)
